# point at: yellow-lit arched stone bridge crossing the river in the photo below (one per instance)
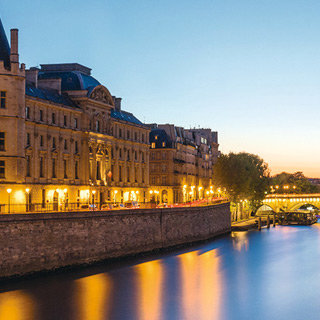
(290, 202)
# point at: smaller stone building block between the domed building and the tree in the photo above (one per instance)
(181, 163)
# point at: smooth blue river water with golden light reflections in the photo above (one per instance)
(272, 274)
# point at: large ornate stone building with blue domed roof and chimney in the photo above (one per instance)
(64, 139)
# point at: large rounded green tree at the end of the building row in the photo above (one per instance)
(243, 175)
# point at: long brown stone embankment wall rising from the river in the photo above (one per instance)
(38, 242)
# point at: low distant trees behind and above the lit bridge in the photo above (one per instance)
(292, 183)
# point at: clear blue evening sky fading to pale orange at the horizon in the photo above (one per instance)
(248, 69)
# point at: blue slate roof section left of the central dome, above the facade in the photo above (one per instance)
(49, 95)
